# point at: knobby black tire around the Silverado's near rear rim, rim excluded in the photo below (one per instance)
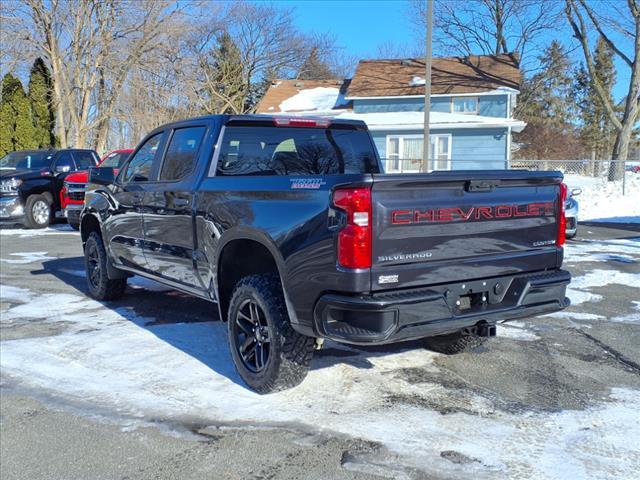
(290, 353)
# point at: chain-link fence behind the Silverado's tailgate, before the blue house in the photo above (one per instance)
(577, 173)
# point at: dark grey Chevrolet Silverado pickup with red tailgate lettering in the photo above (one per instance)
(290, 226)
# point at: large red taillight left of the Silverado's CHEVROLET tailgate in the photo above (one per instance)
(354, 240)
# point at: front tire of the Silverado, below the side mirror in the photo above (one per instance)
(101, 287)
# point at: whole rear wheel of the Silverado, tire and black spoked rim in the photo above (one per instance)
(267, 352)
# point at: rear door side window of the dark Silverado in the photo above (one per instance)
(182, 152)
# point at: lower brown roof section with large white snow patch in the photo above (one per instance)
(303, 95)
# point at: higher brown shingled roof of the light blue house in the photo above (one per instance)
(449, 75)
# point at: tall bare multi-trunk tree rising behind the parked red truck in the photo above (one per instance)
(91, 46)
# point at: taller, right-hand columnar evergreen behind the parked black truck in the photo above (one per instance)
(41, 99)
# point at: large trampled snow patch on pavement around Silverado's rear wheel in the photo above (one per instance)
(114, 359)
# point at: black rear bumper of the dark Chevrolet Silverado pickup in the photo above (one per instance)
(399, 315)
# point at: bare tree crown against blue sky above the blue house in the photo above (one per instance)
(489, 27)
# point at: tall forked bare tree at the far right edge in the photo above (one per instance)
(620, 29)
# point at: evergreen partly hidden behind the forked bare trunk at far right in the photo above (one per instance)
(597, 132)
